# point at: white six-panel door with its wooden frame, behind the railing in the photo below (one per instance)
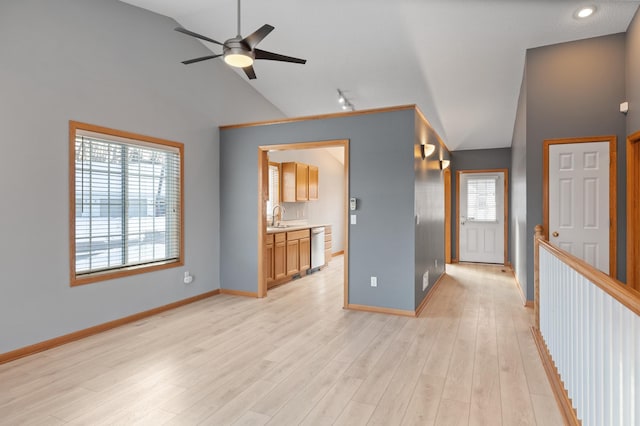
(579, 198)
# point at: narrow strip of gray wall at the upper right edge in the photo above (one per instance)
(633, 74)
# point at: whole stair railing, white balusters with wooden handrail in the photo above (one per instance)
(590, 325)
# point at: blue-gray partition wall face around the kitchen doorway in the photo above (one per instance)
(381, 176)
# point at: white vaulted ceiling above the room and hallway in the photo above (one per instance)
(460, 61)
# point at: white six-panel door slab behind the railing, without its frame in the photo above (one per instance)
(579, 200)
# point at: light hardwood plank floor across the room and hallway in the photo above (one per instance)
(297, 357)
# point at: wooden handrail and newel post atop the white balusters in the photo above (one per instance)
(611, 286)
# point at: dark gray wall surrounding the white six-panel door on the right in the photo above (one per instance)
(573, 90)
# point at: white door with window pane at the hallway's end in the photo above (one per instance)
(481, 202)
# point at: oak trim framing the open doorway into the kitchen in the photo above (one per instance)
(337, 148)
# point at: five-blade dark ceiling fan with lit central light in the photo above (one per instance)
(240, 52)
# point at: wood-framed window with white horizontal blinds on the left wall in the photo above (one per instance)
(126, 203)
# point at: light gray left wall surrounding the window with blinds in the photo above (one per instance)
(111, 64)
